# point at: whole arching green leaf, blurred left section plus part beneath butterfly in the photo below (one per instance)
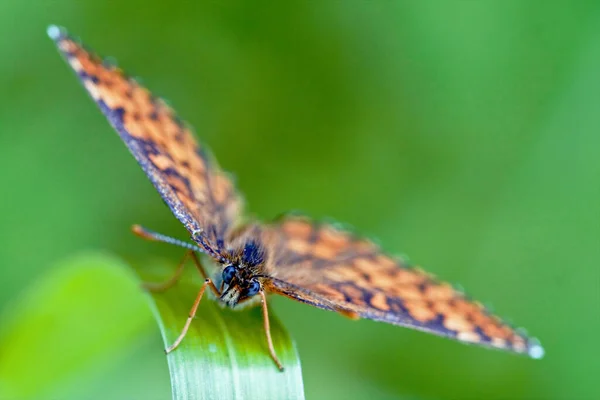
(90, 309)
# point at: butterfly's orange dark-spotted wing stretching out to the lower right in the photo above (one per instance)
(332, 269)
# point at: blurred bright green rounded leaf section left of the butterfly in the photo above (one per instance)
(76, 318)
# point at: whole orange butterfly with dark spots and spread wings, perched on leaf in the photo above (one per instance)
(311, 262)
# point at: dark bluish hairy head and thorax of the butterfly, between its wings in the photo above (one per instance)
(241, 278)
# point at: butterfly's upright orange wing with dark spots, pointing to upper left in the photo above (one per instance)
(190, 182)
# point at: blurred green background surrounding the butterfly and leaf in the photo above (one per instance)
(465, 134)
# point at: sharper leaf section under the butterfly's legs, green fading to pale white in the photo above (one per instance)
(224, 354)
